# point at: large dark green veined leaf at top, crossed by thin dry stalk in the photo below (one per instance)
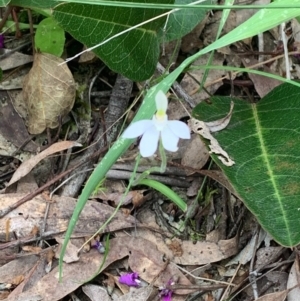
(133, 54)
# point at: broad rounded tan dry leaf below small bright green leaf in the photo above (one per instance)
(49, 92)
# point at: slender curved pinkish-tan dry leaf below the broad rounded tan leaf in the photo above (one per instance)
(28, 165)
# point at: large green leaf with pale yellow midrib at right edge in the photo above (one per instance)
(264, 141)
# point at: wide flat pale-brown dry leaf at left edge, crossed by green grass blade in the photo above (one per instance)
(31, 213)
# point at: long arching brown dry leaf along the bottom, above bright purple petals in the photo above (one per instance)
(147, 261)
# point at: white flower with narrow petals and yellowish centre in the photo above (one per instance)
(159, 127)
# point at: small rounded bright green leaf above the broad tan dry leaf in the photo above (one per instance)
(50, 37)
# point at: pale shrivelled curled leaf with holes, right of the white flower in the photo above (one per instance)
(205, 128)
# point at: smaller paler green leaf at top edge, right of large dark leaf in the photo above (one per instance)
(183, 21)
